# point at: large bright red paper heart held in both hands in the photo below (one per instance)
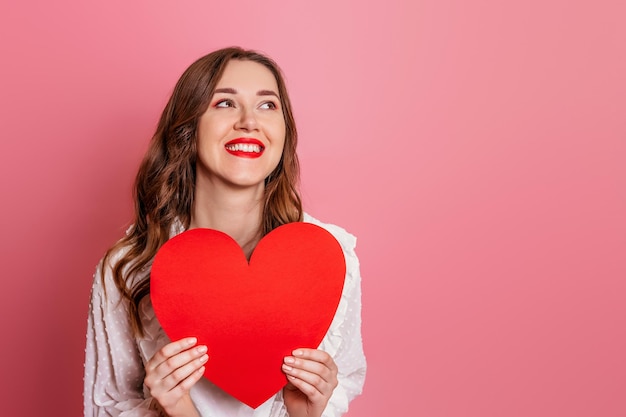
(250, 315)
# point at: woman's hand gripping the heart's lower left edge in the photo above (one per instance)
(171, 373)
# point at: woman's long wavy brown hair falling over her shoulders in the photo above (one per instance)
(164, 186)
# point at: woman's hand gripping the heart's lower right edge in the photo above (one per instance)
(312, 378)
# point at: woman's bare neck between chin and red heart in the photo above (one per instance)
(234, 211)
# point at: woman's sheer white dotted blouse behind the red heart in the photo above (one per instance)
(115, 357)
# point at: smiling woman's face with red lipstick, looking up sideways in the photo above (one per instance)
(242, 133)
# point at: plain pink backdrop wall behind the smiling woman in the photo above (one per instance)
(477, 149)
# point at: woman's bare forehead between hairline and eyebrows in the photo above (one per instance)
(247, 76)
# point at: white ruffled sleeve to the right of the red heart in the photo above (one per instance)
(343, 340)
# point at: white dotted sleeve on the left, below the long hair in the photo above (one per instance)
(114, 371)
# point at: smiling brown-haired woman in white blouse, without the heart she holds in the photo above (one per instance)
(223, 157)
